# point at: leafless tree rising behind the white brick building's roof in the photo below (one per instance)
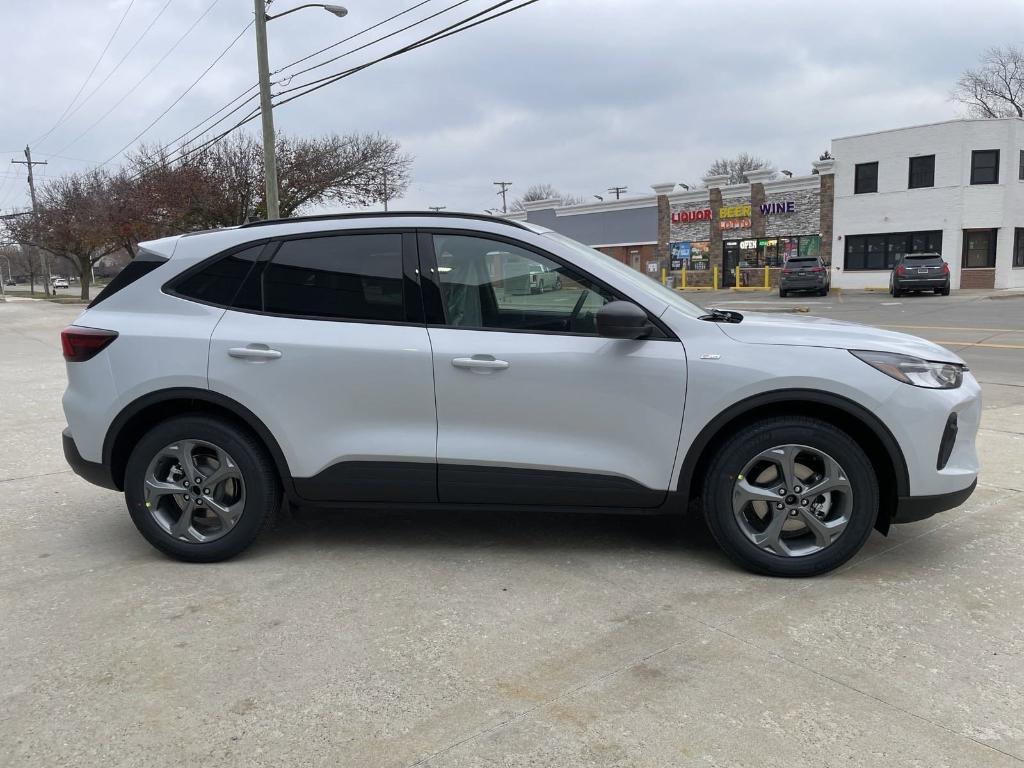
(997, 89)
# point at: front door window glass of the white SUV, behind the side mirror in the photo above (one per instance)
(488, 284)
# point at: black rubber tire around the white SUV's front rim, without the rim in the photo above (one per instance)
(750, 442)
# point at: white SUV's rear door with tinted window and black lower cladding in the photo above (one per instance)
(326, 345)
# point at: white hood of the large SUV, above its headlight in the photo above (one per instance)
(807, 331)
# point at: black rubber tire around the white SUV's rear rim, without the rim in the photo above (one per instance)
(263, 489)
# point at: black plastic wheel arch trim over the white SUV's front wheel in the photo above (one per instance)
(864, 426)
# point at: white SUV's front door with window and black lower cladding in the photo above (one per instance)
(534, 408)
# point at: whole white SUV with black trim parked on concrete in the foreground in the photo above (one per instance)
(386, 361)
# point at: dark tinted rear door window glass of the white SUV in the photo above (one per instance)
(350, 277)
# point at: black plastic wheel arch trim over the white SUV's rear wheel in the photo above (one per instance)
(140, 415)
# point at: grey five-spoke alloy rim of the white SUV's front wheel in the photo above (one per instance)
(793, 500)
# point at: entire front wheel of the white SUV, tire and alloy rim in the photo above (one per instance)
(791, 496)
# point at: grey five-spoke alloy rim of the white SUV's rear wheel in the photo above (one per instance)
(194, 491)
